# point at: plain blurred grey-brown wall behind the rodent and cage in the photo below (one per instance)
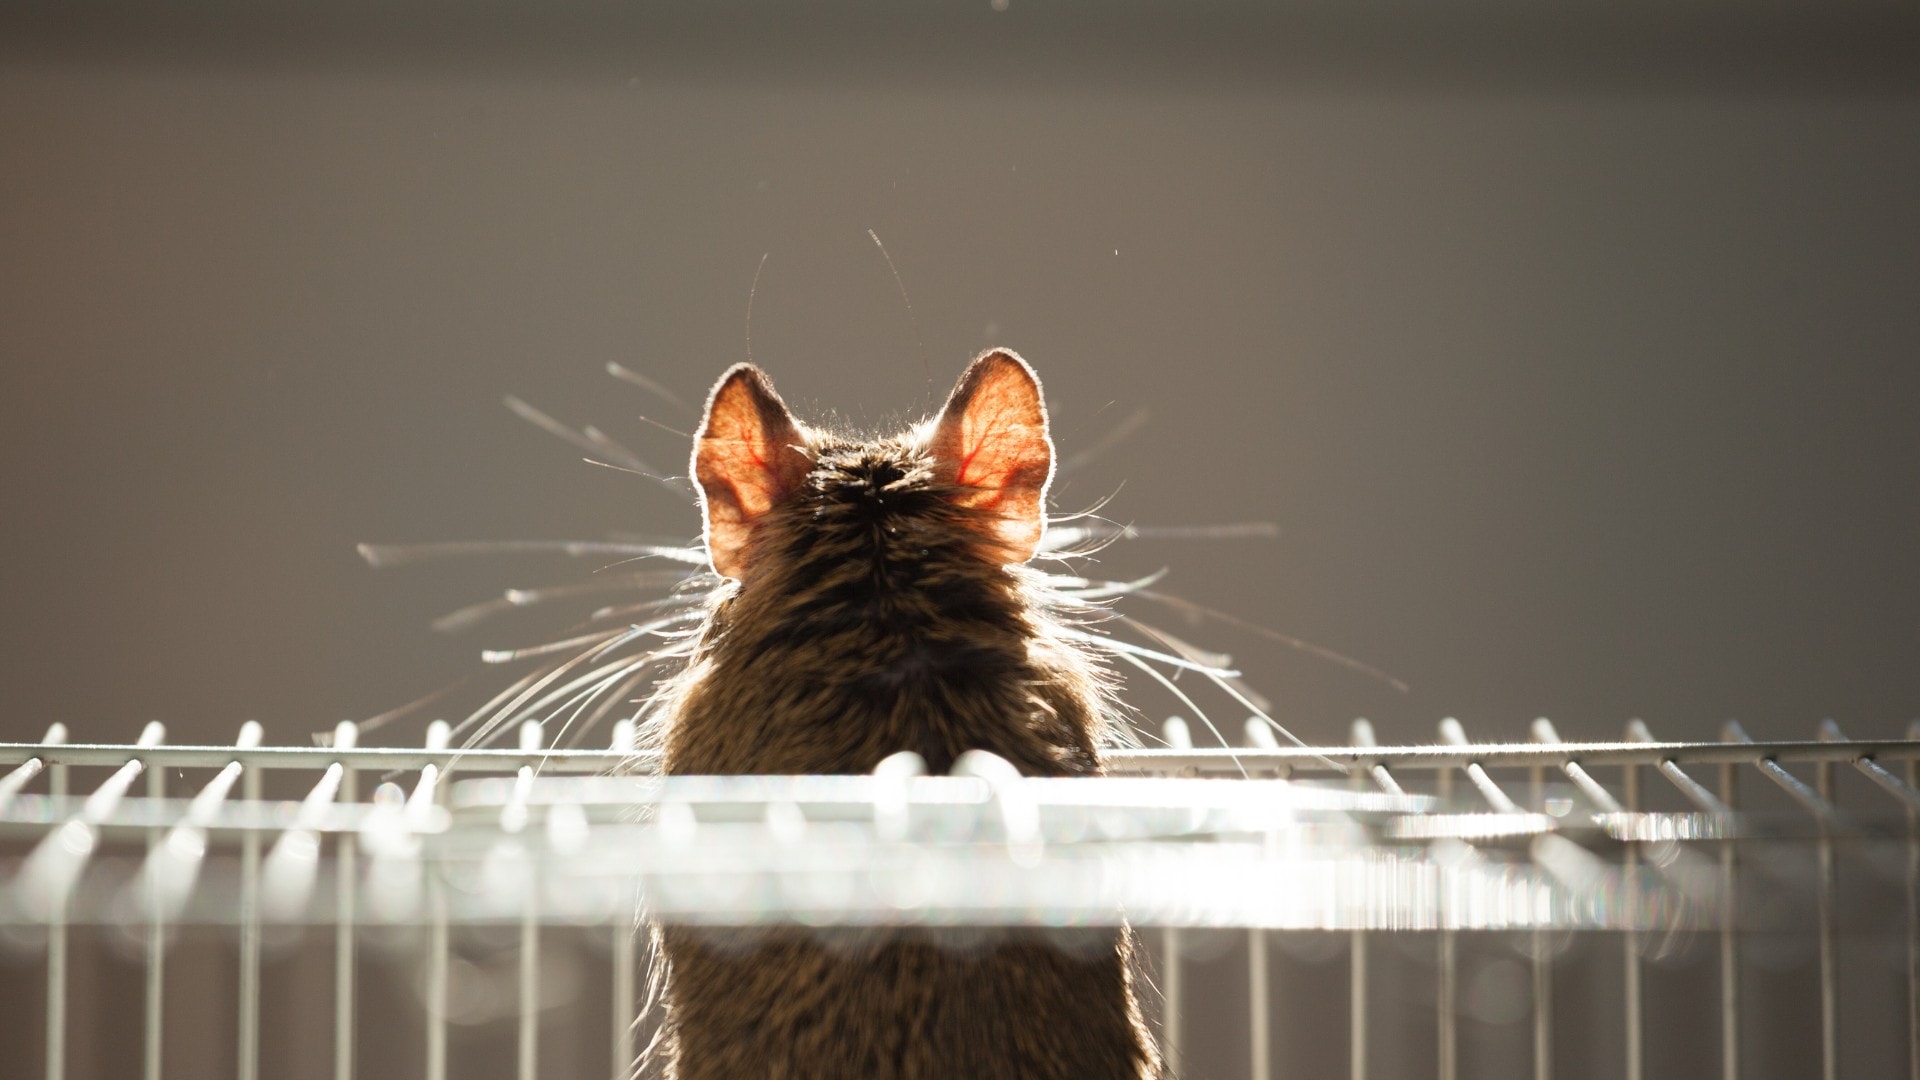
(1572, 351)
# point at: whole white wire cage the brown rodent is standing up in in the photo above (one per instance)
(1426, 847)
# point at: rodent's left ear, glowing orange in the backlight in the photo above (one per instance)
(748, 456)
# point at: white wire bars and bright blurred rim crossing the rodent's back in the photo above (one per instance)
(1566, 850)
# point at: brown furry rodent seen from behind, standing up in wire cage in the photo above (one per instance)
(878, 602)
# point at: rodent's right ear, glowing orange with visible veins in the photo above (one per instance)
(992, 445)
